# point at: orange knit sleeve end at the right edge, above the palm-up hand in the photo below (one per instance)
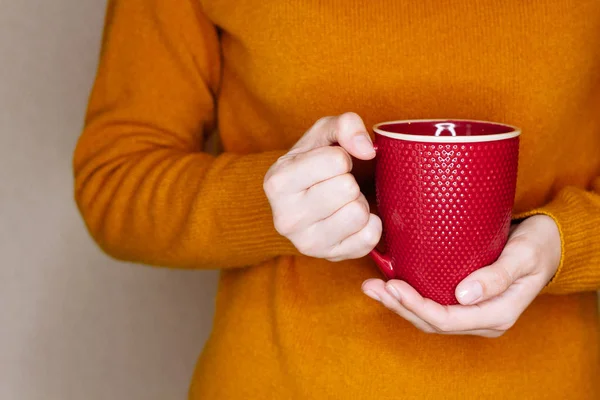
(577, 214)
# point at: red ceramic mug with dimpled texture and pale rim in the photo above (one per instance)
(445, 193)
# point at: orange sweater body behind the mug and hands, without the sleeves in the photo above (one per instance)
(300, 328)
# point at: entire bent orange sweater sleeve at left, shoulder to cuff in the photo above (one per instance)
(146, 191)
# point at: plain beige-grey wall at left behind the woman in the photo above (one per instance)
(74, 324)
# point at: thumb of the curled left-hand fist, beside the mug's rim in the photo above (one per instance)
(348, 130)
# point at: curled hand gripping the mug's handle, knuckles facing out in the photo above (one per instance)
(316, 202)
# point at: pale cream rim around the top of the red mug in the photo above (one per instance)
(447, 139)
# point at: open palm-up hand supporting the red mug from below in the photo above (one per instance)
(492, 298)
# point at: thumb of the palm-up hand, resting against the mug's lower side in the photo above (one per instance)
(489, 281)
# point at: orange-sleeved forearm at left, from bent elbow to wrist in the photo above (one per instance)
(168, 208)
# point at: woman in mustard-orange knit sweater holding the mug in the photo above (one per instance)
(277, 80)
